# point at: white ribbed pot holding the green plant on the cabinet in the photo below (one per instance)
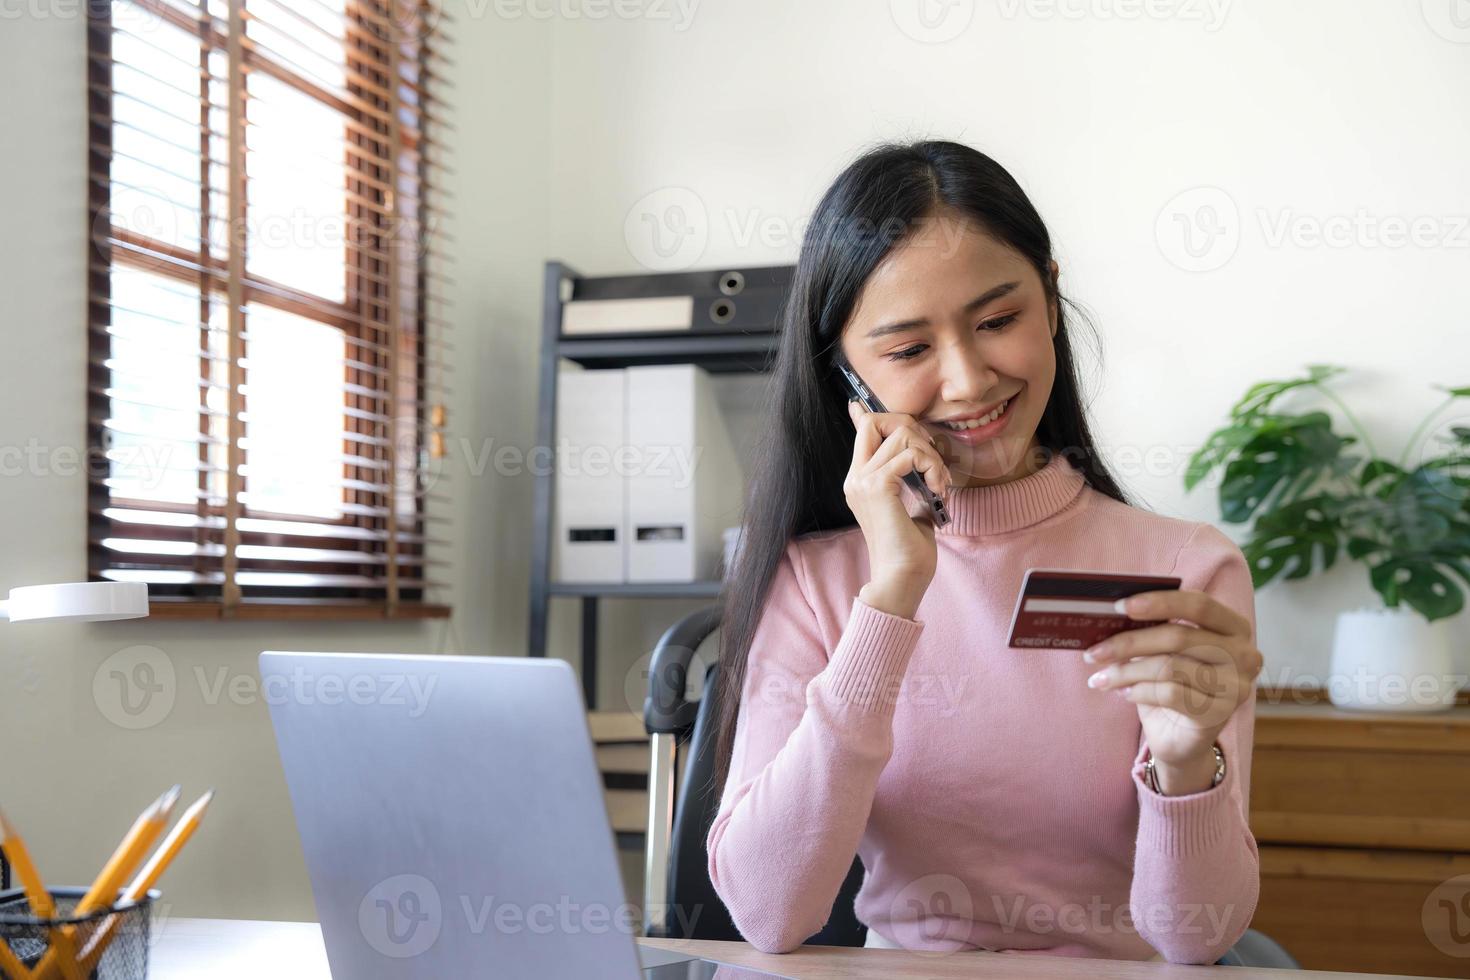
(1393, 660)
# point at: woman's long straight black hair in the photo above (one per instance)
(805, 453)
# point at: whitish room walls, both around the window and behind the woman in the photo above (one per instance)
(568, 124)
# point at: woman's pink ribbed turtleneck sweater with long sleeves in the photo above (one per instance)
(996, 800)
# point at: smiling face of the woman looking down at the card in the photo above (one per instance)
(952, 325)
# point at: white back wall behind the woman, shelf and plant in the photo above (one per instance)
(1305, 112)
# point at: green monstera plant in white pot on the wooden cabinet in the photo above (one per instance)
(1312, 493)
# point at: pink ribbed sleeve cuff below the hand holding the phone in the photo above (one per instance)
(871, 659)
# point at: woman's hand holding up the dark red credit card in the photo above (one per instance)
(1187, 681)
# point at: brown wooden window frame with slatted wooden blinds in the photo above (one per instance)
(386, 383)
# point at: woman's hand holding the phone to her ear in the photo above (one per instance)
(902, 552)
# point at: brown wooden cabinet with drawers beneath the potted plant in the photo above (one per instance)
(1363, 824)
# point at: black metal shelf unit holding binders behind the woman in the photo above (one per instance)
(734, 331)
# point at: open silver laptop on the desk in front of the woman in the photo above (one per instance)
(453, 822)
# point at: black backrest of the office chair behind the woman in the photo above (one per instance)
(696, 909)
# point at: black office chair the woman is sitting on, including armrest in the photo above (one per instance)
(678, 897)
